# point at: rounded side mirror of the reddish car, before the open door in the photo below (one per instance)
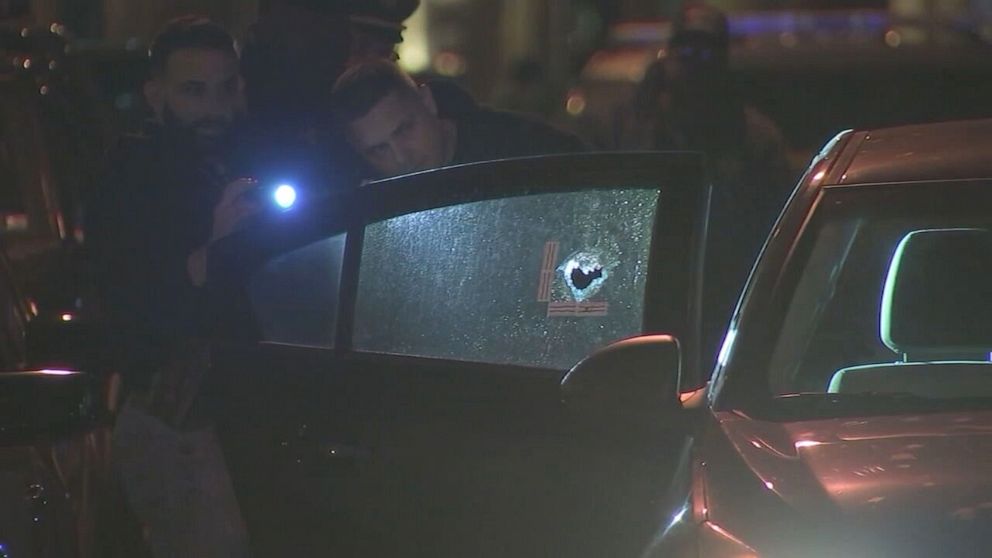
(636, 379)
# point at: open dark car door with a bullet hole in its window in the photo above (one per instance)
(389, 361)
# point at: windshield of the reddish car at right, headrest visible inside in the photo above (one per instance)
(887, 303)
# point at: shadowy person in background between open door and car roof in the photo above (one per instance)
(688, 101)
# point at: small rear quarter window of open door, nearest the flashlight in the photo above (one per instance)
(295, 296)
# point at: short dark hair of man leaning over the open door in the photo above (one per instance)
(363, 86)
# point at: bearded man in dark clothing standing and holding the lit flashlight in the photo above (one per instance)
(164, 199)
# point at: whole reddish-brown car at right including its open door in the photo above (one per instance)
(392, 363)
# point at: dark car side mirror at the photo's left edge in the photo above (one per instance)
(46, 404)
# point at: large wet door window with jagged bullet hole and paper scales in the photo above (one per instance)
(539, 280)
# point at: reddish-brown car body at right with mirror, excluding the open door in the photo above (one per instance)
(850, 409)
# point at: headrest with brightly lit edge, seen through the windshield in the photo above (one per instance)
(938, 294)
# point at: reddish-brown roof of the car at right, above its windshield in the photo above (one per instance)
(923, 152)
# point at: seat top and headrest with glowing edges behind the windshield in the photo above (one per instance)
(935, 315)
